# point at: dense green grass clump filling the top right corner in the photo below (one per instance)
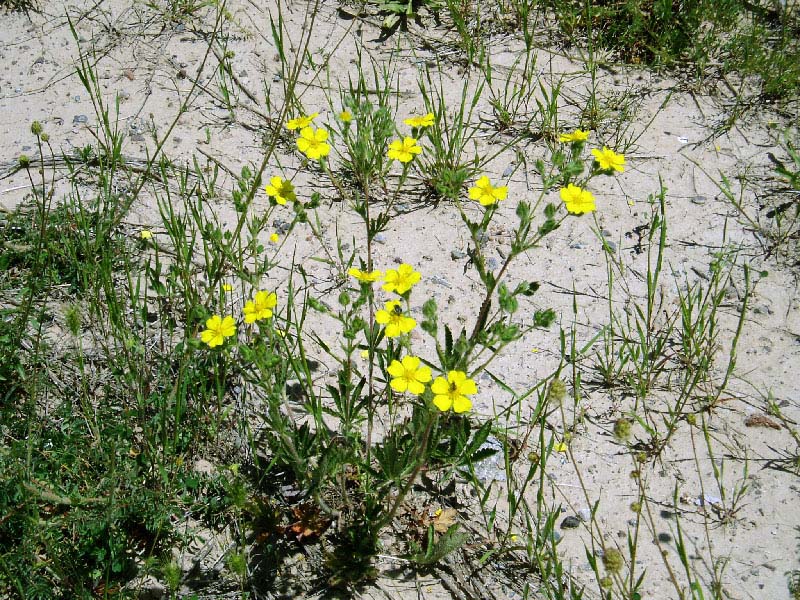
(748, 38)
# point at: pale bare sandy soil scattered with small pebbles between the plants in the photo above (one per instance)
(149, 63)
